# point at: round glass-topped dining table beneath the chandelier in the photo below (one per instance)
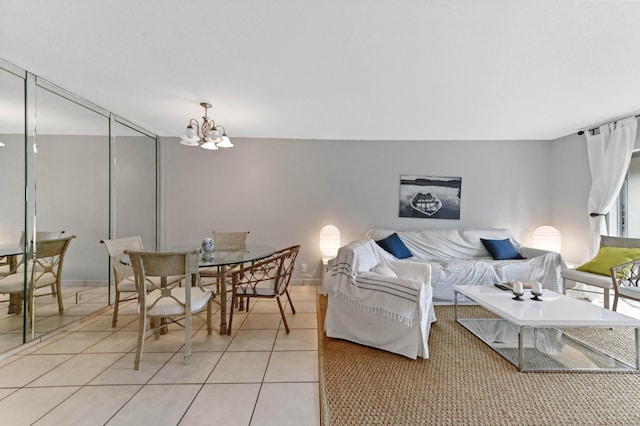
(223, 260)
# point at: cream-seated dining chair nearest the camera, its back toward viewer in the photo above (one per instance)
(171, 300)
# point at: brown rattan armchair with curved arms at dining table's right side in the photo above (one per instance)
(268, 278)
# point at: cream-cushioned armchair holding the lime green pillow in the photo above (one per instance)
(614, 251)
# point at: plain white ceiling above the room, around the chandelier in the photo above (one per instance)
(339, 69)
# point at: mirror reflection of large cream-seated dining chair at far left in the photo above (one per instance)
(44, 269)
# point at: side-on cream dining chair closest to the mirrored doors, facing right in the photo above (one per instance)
(123, 276)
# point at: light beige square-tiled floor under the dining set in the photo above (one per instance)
(257, 376)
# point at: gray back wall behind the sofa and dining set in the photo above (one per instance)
(284, 191)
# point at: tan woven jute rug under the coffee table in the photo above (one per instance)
(464, 382)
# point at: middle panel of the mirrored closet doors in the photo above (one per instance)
(72, 195)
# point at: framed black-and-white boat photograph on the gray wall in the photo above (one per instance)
(430, 197)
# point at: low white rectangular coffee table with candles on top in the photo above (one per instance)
(529, 333)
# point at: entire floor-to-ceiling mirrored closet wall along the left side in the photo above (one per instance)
(67, 168)
